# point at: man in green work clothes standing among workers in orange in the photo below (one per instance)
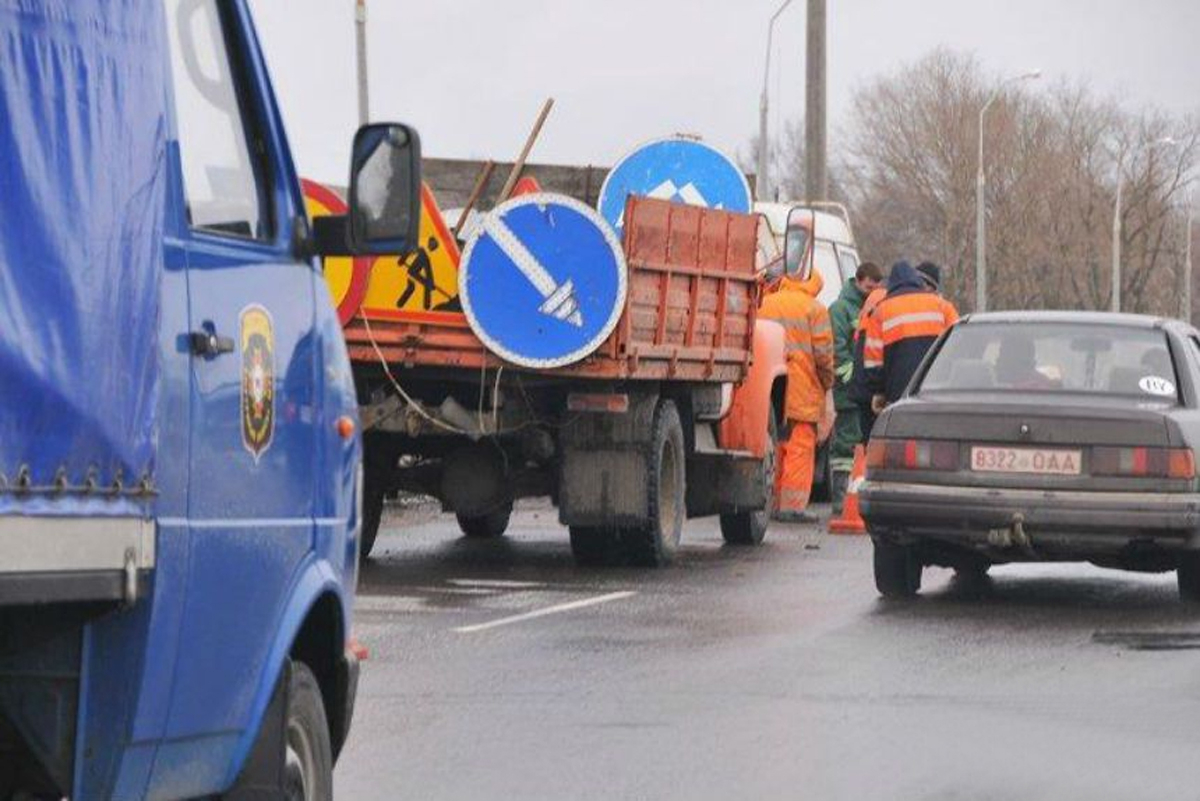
(848, 433)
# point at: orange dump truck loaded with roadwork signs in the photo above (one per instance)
(673, 417)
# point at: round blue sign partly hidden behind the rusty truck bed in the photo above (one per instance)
(676, 170)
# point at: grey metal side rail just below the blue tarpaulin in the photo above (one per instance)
(69, 559)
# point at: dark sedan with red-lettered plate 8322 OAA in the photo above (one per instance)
(1042, 437)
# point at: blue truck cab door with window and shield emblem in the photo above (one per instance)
(251, 347)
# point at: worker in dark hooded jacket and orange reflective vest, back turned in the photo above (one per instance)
(901, 332)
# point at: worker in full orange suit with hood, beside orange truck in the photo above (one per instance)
(811, 376)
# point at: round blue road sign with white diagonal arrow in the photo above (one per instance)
(543, 281)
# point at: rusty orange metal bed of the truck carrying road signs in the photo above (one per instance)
(689, 312)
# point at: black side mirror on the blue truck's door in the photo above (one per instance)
(386, 190)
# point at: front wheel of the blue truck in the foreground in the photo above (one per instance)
(309, 757)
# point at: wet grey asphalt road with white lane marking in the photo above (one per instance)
(770, 673)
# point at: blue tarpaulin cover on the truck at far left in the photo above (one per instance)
(83, 171)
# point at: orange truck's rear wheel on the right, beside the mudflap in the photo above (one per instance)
(655, 544)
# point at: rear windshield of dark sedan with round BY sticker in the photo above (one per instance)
(1055, 358)
